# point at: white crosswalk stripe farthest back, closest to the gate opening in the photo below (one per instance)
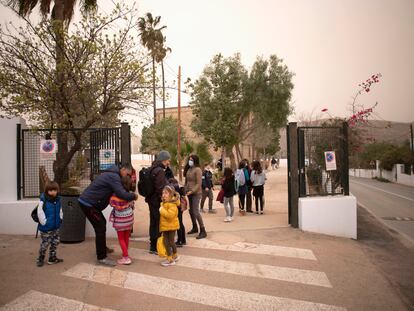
(259, 249)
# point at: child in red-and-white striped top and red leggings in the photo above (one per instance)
(122, 217)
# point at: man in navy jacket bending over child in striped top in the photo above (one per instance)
(95, 199)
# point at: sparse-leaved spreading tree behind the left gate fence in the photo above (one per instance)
(104, 75)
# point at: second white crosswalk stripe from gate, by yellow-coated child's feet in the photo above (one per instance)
(308, 277)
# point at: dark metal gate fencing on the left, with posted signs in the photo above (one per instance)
(99, 148)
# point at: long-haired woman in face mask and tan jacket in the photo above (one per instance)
(193, 178)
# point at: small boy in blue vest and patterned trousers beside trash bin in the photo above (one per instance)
(50, 217)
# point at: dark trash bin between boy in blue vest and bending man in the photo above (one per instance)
(72, 229)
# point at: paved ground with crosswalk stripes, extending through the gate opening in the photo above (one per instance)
(272, 267)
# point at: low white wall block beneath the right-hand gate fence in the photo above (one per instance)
(332, 215)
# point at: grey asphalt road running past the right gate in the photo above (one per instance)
(392, 203)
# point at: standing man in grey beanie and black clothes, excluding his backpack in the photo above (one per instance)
(159, 181)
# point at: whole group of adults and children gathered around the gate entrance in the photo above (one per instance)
(167, 201)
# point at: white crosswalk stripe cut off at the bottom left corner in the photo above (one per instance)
(34, 300)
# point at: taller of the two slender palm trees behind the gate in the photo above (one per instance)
(151, 38)
